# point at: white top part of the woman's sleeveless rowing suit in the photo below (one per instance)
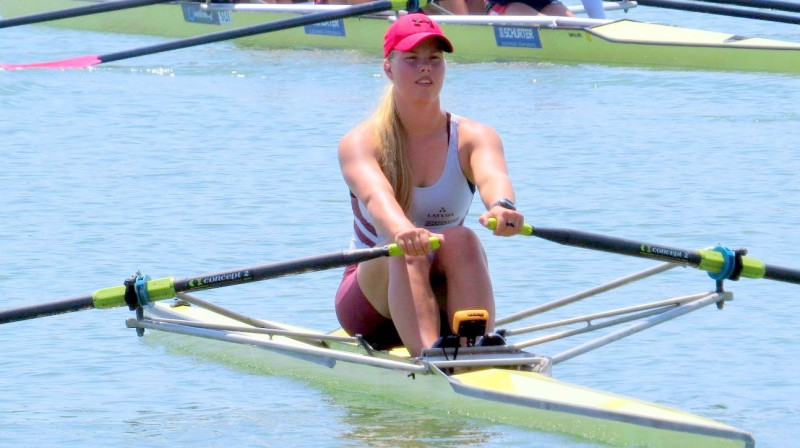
(435, 207)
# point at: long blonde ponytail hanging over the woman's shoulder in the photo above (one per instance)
(393, 148)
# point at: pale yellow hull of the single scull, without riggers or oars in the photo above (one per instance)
(501, 395)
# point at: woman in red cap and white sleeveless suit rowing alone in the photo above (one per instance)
(412, 170)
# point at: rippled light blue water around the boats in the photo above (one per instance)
(218, 157)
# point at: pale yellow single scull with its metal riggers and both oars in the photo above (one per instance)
(502, 383)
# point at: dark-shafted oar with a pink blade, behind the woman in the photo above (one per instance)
(309, 19)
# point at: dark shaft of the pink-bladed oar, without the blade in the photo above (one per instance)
(278, 25)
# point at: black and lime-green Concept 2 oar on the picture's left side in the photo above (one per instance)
(140, 290)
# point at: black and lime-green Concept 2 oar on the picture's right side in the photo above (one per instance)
(720, 263)
